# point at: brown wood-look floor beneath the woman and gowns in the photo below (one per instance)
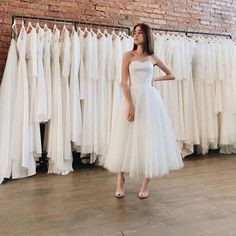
(197, 200)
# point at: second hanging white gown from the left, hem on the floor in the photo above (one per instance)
(23, 163)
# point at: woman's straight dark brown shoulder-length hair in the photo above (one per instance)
(148, 45)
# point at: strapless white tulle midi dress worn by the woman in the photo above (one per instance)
(146, 147)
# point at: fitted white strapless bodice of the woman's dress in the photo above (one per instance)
(140, 73)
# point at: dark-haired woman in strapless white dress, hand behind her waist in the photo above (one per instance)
(142, 141)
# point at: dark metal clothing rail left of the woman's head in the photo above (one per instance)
(74, 22)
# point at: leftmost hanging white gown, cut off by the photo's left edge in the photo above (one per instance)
(7, 93)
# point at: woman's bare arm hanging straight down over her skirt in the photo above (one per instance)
(124, 84)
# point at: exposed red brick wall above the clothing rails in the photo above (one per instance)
(197, 15)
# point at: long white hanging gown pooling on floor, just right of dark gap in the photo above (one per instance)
(57, 163)
